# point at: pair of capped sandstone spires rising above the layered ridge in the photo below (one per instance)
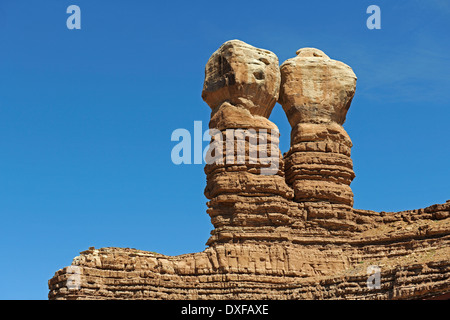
(242, 85)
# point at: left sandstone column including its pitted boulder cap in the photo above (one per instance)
(245, 181)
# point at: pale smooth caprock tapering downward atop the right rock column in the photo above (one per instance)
(315, 88)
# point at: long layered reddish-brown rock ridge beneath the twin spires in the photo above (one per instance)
(410, 247)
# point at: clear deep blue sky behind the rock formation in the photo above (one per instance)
(86, 116)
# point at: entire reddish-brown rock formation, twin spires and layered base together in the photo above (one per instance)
(284, 227)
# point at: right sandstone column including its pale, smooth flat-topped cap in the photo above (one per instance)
(316, 93)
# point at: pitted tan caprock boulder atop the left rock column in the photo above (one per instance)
(244, 76)
